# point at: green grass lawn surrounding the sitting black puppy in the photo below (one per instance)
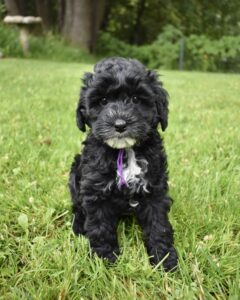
(40, 258)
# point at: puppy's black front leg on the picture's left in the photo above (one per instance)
(101, 229)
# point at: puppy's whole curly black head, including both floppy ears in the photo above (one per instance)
(119, 102)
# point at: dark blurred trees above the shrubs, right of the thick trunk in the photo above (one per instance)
(141, 21)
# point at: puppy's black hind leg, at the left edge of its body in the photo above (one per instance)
(74, 186)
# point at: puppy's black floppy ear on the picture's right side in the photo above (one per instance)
(161, 100)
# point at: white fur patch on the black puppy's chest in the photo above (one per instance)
(134, 172)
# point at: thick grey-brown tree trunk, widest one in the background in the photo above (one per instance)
(81, 21)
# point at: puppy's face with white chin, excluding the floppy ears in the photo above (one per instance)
(121, 109)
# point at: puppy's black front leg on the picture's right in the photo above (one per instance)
(158, 232)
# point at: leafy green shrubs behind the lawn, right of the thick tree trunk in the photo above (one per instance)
(201, 53)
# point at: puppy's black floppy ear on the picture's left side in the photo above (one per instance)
(81, 112)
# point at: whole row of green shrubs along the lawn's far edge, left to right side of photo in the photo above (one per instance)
(201, 53)
